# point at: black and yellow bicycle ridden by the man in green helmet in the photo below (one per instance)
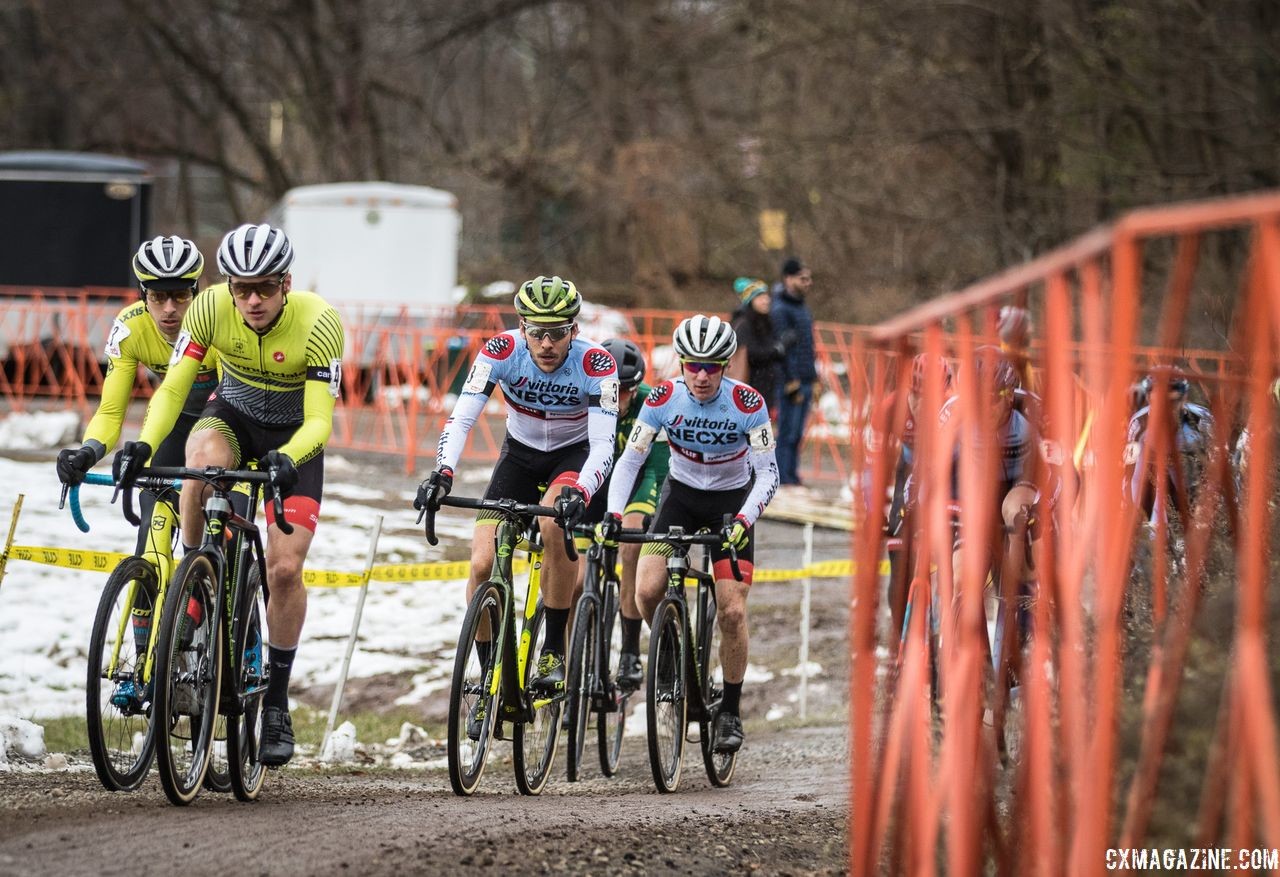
(484, 693)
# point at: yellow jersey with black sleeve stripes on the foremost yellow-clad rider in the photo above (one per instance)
(287, 377)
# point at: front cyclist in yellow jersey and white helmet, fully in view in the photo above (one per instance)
(281, 355)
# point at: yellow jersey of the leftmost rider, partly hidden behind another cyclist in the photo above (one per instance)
(135, 339)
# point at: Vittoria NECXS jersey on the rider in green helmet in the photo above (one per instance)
(577, 403)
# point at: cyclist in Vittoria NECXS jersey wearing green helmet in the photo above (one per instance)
(563, 409)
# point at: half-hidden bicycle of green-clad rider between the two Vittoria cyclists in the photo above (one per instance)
(597, 645)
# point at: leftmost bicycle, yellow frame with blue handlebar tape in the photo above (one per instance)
(118, 714)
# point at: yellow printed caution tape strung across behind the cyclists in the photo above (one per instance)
(394, 573)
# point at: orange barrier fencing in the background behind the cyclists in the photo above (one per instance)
(401, 369)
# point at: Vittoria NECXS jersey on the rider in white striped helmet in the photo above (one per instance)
(715, 445)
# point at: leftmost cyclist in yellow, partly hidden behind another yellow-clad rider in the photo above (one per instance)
(168, 271)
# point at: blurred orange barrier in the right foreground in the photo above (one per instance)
(1053, 738)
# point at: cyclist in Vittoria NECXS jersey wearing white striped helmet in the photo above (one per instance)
(721, 463)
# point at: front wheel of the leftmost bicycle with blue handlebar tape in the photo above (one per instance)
(118, 705)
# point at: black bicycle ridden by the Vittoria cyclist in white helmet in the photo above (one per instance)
(680, 680)
